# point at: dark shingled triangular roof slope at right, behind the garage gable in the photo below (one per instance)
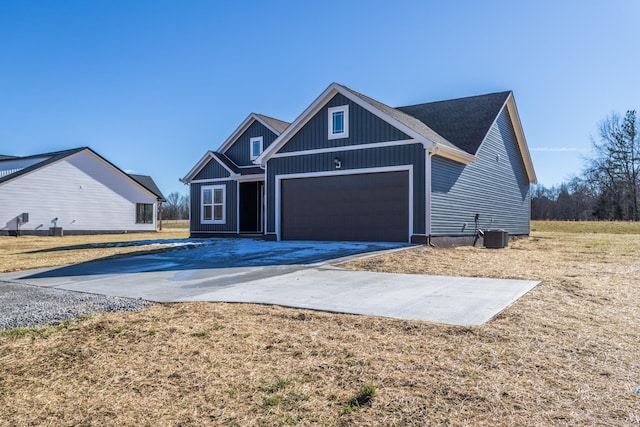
(464, 121)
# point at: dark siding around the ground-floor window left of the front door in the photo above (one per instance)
(230, 211)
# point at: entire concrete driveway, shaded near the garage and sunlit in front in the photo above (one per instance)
(293, 274)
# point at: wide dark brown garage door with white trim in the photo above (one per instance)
(363, 207)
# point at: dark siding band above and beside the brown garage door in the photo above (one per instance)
(399, 155)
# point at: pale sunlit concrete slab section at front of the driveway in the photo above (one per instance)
(451, 300)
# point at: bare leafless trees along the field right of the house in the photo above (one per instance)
(609, 185)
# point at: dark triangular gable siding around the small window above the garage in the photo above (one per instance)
(364, 128)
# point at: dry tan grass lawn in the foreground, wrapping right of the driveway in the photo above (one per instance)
(564, 354)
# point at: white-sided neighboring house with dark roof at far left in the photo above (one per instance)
(74, 192)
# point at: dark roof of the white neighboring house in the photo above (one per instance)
(14, 167)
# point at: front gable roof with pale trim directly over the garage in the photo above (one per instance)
(413, 127)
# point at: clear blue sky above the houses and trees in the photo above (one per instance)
(152, 85)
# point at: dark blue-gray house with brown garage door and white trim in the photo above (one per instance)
(352, 168)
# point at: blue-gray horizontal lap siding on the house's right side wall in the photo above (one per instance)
(495, 187)
